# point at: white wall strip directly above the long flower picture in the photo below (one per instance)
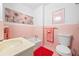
(19, 7)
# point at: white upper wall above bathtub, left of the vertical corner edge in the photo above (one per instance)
(37, 13)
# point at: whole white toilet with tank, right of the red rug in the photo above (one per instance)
(64, 41)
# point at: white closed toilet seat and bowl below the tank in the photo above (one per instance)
(63, 50)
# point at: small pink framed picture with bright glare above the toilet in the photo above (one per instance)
(59, 16)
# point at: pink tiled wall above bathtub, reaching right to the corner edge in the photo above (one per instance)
(22, 30)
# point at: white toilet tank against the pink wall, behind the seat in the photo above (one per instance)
(64, 39)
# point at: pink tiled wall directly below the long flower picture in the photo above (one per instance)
(21, 30)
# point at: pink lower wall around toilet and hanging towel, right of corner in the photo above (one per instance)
(69, 29)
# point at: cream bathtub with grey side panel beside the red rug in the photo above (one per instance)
(16, 47)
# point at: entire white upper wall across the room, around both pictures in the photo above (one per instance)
(44, 12)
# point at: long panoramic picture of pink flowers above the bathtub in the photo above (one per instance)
(17, 17)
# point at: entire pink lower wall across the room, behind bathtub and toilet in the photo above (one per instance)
(20, 30)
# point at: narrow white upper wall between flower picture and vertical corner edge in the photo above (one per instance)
(38, 16)
